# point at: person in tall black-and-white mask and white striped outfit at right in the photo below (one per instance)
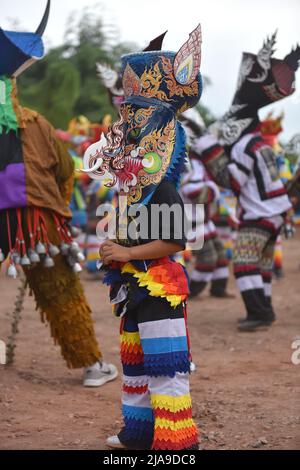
(237, 156)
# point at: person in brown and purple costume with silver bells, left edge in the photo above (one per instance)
(36, 181)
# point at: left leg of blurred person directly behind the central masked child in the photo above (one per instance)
(205, 264)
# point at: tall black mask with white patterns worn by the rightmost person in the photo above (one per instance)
(262, 80)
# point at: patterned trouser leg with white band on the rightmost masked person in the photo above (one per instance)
(249, 246)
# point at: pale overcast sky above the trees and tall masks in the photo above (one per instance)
(229, 27)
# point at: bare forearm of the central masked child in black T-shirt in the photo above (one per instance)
(154, 250)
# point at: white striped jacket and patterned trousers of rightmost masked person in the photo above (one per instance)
(253, 175)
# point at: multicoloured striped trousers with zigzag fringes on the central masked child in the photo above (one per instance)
(156, 402)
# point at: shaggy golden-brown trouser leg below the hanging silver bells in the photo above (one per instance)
(61, 301)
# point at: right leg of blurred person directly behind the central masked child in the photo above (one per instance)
(221, 273)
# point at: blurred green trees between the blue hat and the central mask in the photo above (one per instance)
(65, 83)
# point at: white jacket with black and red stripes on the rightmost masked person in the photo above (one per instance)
(251, 172)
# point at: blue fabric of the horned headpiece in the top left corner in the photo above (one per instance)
(18, 48)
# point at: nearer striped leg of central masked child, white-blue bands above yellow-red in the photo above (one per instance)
(164, 342)
